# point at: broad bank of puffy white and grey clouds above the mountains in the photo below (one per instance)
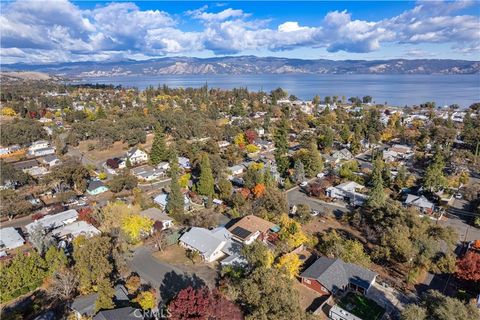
(34, 31)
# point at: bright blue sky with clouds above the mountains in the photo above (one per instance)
(45, 31)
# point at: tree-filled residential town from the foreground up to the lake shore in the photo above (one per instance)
(203, 203)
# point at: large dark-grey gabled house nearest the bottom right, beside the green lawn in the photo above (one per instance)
(328, 276)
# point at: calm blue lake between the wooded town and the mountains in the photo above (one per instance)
(395, 89)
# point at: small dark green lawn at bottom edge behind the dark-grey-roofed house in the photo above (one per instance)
(361, 306)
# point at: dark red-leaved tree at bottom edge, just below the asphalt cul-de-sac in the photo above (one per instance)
(202, 303)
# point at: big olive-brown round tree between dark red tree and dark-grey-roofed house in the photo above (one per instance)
(268, 294)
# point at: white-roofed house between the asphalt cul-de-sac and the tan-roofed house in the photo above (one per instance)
(210, 244)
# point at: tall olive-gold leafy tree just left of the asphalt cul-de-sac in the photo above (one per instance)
(92, 261)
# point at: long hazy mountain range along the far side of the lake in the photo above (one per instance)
(249, 65)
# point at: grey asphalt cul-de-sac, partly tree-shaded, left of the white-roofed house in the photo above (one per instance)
(168, 280)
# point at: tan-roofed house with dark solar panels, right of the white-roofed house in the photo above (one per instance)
(251, 227)
